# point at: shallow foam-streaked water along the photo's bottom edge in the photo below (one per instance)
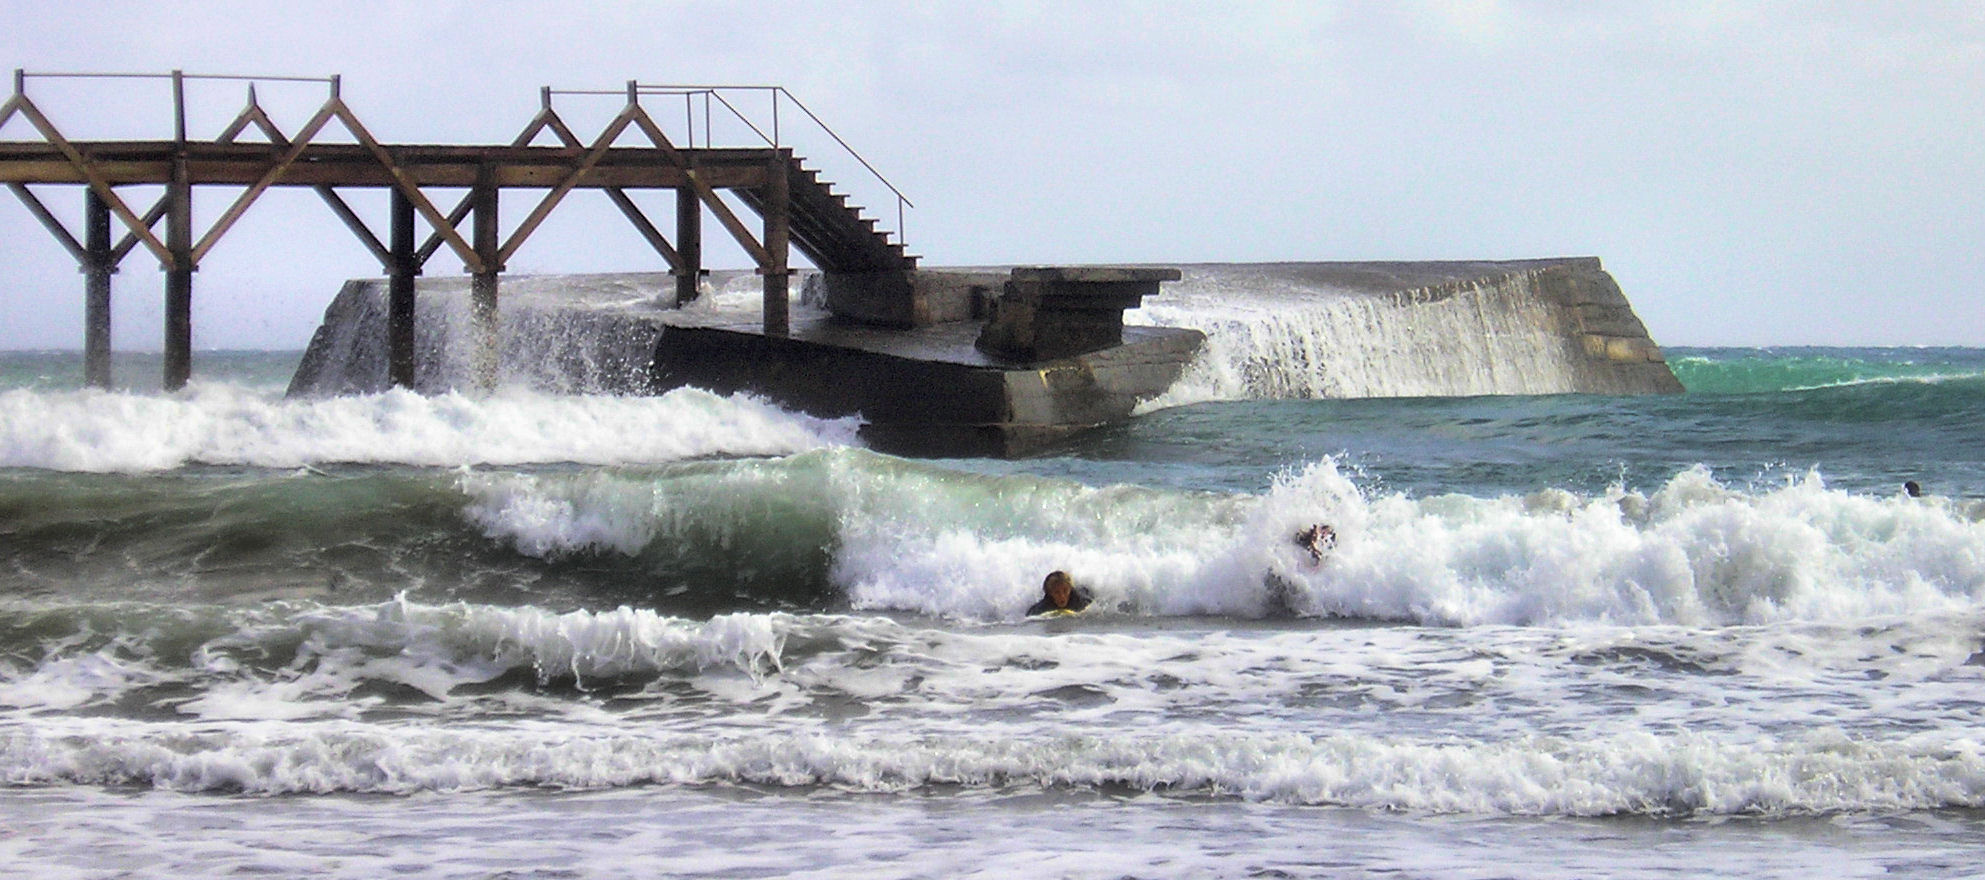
(708, 831)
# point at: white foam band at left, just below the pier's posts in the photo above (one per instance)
(223, 424)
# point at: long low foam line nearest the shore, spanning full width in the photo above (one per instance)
(1639, 774)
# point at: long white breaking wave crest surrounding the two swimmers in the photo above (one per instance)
(922, 539)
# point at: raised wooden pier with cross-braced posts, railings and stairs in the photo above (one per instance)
(797, 210)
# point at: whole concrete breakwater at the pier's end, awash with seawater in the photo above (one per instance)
(950, 374)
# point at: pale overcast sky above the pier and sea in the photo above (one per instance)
(1750, 172)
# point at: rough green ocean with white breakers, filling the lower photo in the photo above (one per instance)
(563, 635)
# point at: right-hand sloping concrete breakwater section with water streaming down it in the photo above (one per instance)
(1408, 331)
